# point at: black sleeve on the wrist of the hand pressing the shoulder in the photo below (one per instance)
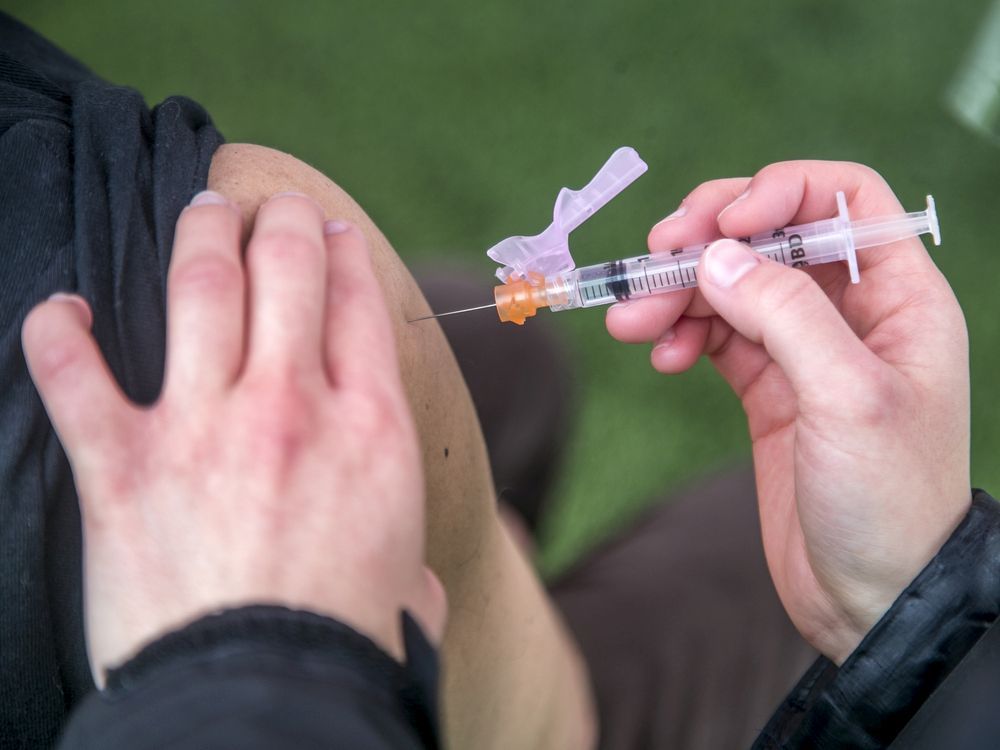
(262, 678)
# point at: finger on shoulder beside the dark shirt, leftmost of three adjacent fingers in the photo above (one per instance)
(205, 297)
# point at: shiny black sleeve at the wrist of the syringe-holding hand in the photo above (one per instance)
(914, 656)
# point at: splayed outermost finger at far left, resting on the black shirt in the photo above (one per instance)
(80, 394)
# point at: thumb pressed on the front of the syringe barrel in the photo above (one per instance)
(787, 312)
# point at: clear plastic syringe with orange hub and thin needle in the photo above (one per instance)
(824, 241)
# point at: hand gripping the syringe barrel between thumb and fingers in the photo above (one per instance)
(857, 396)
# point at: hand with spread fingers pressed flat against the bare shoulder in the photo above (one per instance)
(280, 464)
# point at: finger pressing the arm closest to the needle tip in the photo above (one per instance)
(359, 344)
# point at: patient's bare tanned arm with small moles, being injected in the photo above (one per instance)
(512, 676)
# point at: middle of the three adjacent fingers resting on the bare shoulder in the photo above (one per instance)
(286, 264)
